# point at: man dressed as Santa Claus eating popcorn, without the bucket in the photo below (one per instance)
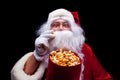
(61, 31)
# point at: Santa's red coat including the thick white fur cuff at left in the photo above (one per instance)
(93, 70)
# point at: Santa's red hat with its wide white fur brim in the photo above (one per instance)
(64, 14)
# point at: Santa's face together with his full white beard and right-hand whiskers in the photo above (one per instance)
(66, 37)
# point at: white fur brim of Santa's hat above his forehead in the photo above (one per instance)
(60, 13)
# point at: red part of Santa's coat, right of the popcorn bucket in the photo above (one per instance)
(93, 69)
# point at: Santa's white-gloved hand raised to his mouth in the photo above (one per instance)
(42, 45)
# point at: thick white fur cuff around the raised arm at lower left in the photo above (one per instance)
(17, 72)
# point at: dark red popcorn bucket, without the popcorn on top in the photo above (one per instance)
(56, 72)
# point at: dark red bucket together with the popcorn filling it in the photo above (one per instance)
(63, 65)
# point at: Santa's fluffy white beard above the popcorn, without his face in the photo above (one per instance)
(66, 40)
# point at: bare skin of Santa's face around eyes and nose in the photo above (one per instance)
(60, 24)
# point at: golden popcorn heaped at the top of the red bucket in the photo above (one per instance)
(64, 58)
